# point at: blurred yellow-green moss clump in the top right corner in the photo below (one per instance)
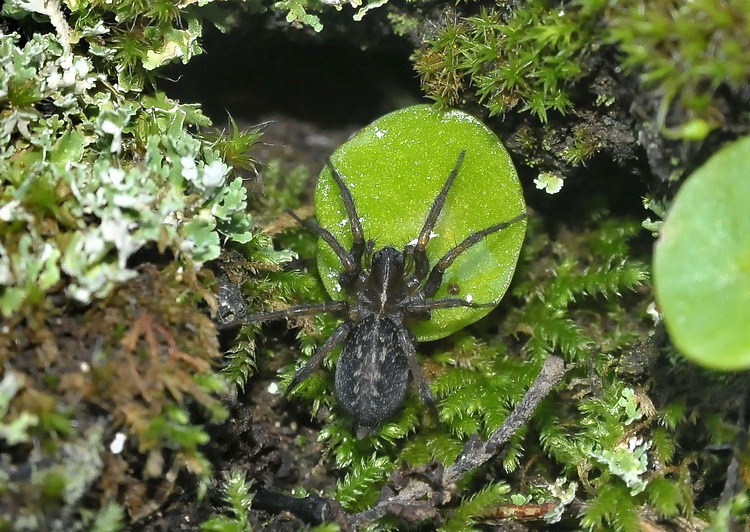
(684, 52)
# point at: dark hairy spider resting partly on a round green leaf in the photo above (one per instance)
(385, 290)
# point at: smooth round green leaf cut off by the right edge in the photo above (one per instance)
(702, 262)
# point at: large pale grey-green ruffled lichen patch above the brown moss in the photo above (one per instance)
(132, 166)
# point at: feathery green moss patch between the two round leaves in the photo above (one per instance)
(594, 264)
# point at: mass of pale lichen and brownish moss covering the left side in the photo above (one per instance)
(110, 205)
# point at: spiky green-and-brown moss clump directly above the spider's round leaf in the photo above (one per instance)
(527, 58)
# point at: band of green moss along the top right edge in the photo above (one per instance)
(531, 57)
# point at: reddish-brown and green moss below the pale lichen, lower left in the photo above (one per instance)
(133, 365)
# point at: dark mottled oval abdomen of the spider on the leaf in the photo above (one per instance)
(372, 372)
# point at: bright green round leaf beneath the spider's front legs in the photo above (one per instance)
(395, 167)
